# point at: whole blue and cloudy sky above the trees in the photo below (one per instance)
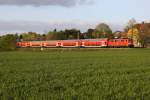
(44, 15)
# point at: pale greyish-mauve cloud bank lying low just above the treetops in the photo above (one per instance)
(42, 27)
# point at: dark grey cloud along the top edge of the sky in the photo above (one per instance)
(67, 3)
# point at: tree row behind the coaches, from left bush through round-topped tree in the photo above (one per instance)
(101, 31)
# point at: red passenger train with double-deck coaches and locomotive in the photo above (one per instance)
(79, 43)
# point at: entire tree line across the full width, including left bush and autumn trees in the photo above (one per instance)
(140, 33)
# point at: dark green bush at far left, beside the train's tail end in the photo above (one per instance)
(8, 42)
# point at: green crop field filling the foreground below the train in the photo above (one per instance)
(102, 74)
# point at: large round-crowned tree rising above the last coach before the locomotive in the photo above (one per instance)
(102, 31)
